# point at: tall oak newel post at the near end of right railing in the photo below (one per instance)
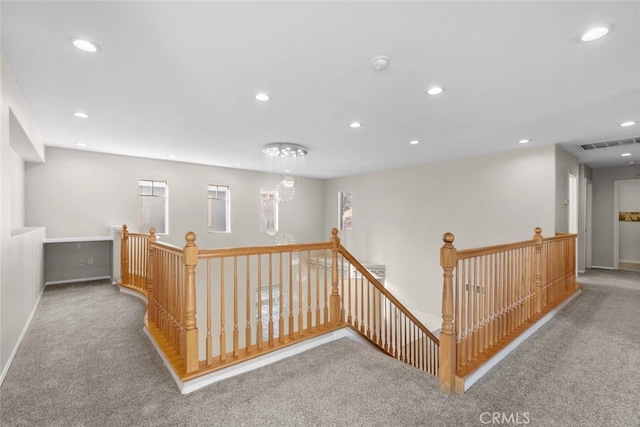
(447, 359)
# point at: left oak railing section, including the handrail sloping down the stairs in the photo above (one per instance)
(260, 299)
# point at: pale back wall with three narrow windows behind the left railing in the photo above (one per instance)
(79, 193)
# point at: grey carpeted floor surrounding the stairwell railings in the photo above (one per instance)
(86, 362)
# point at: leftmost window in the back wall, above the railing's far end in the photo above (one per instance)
(153, 205)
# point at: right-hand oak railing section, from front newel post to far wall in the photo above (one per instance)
(493, 294)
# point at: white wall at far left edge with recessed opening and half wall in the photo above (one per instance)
(21, 262)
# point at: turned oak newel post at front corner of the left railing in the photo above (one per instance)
(190, 340)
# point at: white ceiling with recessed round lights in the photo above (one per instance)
(181, 78)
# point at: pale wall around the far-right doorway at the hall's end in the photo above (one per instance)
(603, 218)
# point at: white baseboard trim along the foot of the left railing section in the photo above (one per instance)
(258, 362)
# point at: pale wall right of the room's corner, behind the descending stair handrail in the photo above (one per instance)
(399, 216)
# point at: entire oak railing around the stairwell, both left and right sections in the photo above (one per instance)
(260, 299)
